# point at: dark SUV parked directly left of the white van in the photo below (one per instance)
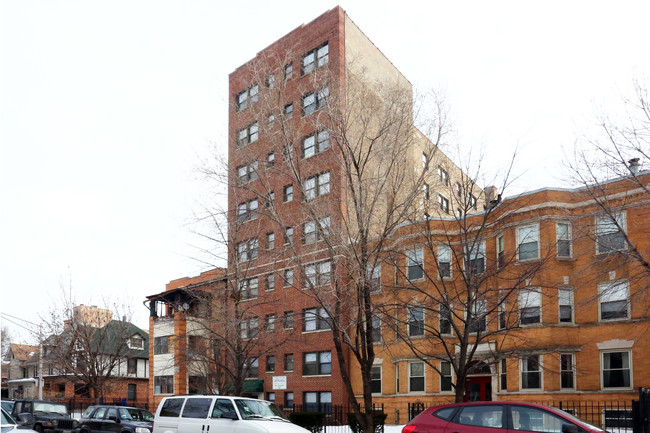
(119, 419)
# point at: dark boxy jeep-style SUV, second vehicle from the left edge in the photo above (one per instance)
(44, 416)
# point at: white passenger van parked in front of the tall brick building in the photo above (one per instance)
(218, 413)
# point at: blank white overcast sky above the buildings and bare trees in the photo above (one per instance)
(106, 106)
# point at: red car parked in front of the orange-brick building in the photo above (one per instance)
(497, 417)
